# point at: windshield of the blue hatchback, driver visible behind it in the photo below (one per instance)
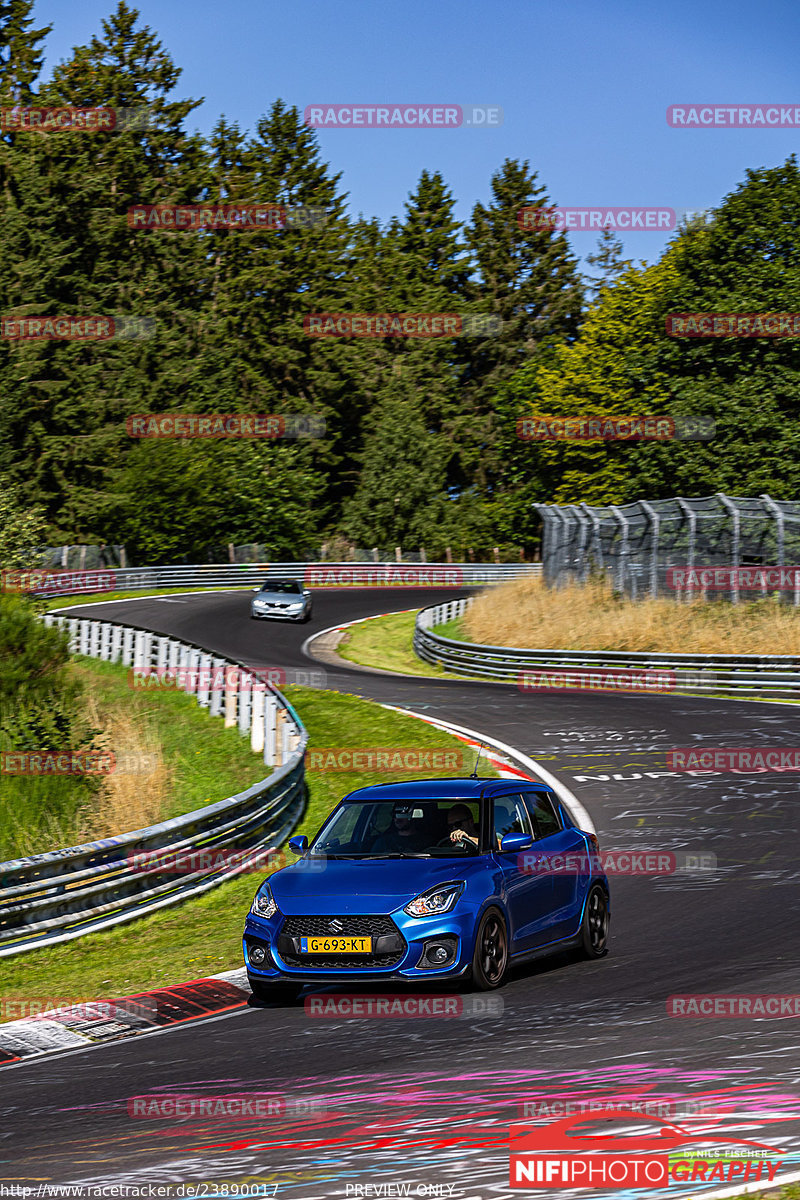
(393, 830)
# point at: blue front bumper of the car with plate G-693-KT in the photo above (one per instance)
(399, 959)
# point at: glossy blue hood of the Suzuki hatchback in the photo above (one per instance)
(360, 886)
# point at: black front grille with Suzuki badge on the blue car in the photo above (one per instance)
(389, 944)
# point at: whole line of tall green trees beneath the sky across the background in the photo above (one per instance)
(422, 445)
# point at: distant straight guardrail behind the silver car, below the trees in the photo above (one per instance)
(134, 579)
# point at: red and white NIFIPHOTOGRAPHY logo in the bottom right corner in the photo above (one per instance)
(554, 1157)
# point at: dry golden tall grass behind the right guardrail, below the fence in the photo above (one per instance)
(526, 614)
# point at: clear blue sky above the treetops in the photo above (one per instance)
(584, 85)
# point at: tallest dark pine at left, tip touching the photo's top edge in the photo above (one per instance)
(68, 250)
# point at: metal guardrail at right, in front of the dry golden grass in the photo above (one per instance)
(739, 675)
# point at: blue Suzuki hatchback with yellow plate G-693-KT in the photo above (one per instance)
(429, 880)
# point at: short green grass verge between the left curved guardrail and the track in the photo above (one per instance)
(203, 937)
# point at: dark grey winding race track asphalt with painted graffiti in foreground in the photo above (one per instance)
(429, 1102)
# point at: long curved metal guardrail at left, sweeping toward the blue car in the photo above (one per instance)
(57, 897)
